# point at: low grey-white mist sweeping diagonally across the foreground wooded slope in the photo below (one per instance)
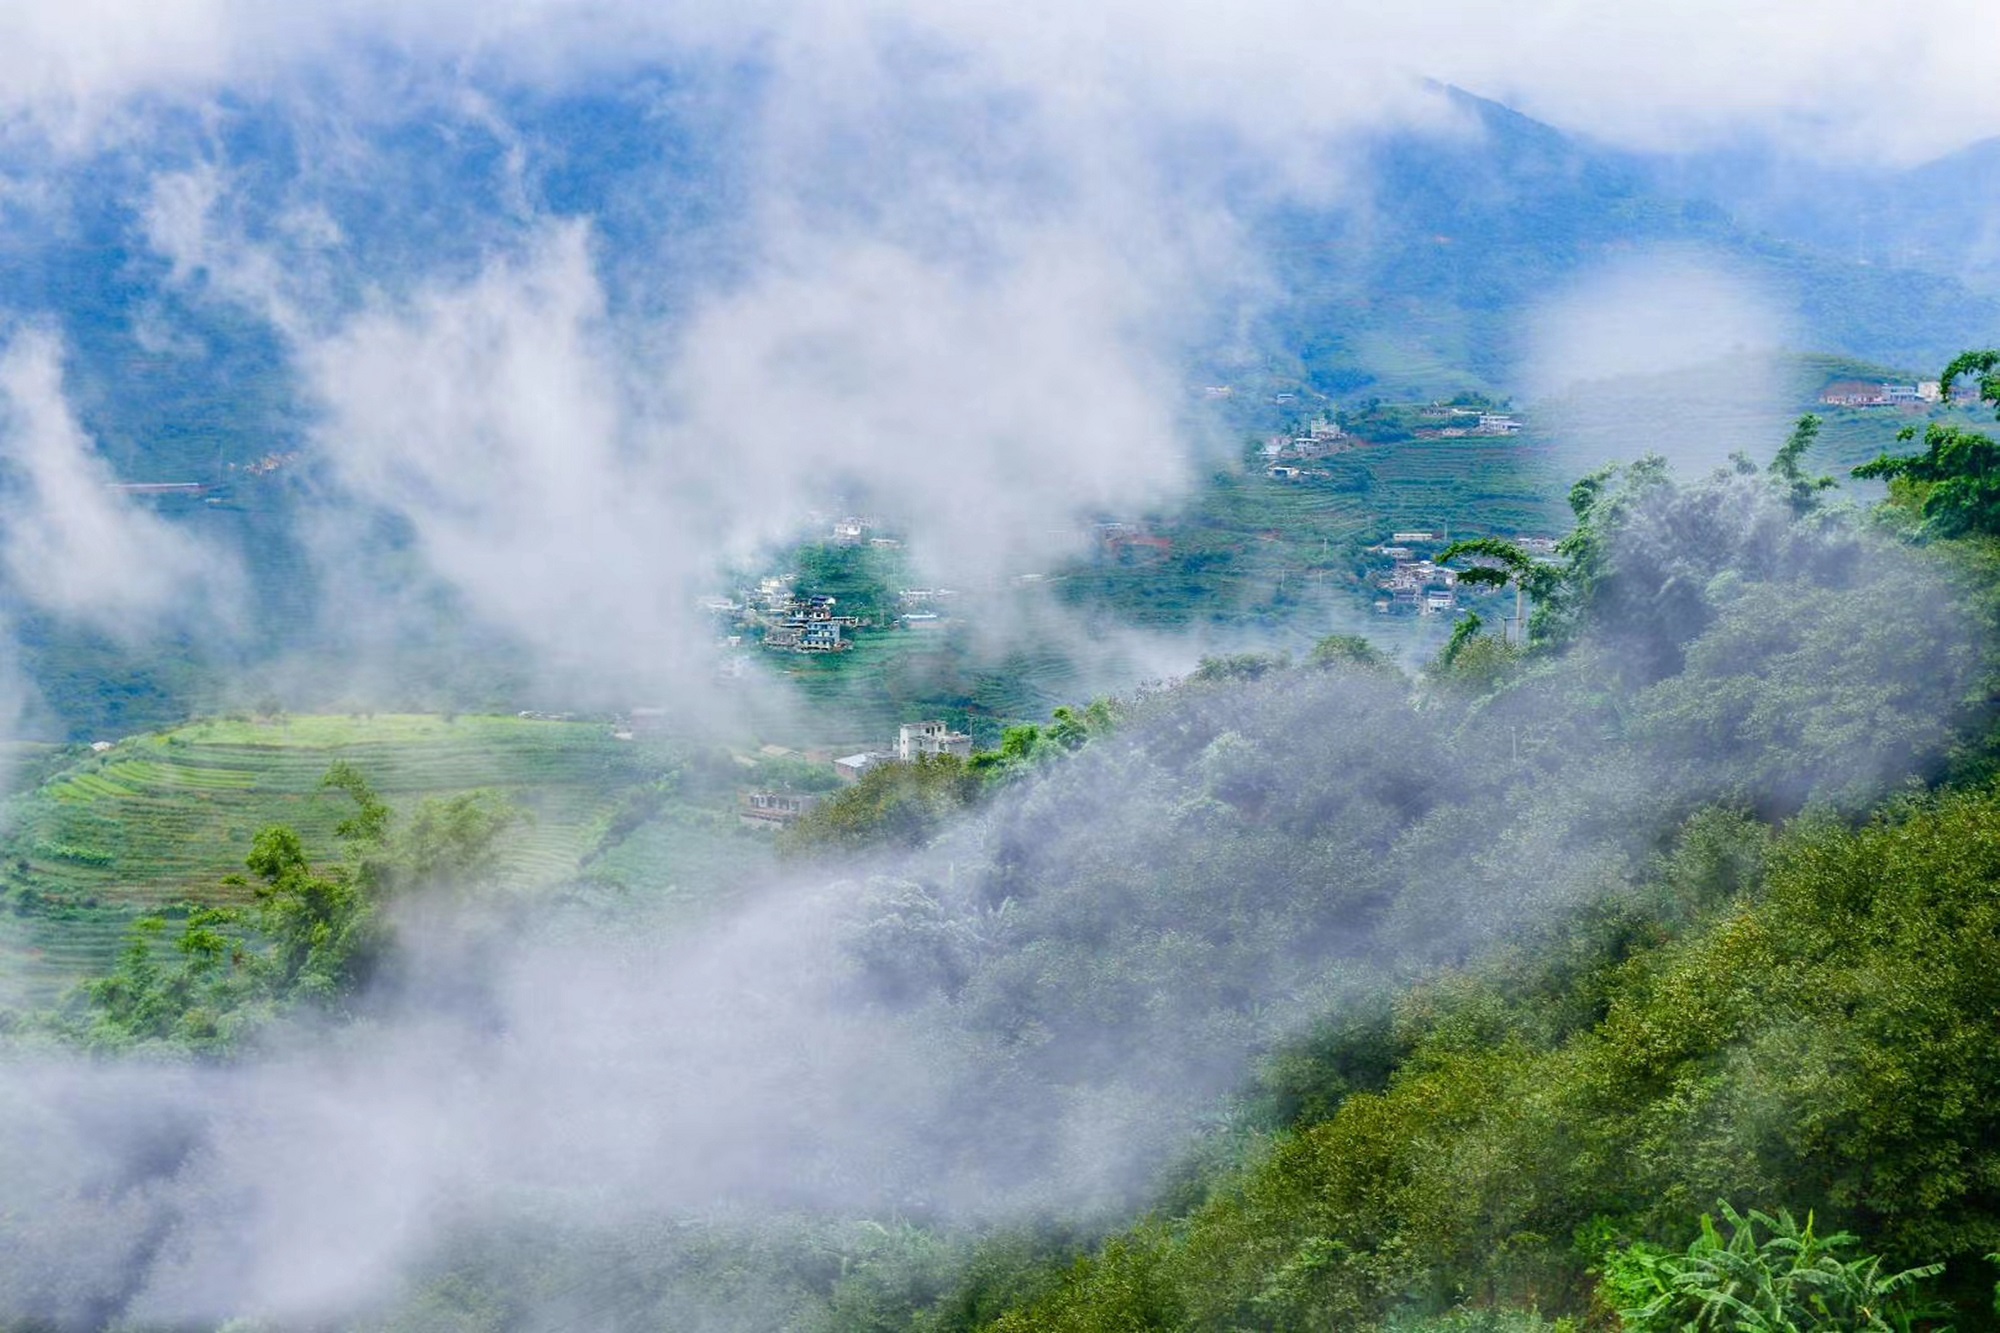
(1039, 1012)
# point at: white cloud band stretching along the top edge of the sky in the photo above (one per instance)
(1839, 75)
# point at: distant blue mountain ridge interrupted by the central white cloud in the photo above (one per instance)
(1419, 289)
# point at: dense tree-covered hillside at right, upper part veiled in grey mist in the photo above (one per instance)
(1605, 1038)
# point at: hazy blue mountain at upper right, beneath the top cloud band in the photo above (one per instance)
(1427, 285)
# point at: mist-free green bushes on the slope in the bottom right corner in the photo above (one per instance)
(1807, 1032)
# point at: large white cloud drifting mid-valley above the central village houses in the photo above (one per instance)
(581, 481)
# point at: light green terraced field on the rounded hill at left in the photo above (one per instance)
(165, 818)
